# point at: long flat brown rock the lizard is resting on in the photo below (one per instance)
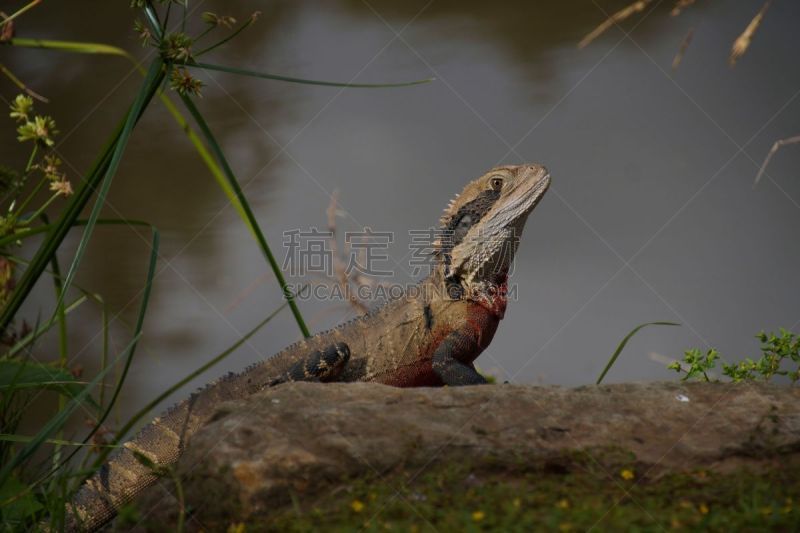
(304, 438)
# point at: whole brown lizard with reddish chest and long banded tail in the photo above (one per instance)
(429, 336)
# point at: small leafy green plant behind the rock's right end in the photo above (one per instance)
(780, 356)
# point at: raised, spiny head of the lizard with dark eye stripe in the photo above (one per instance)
(482, 225)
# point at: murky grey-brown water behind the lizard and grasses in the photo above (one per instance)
(652, 214)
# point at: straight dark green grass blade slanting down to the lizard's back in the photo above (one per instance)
(251, 219)
